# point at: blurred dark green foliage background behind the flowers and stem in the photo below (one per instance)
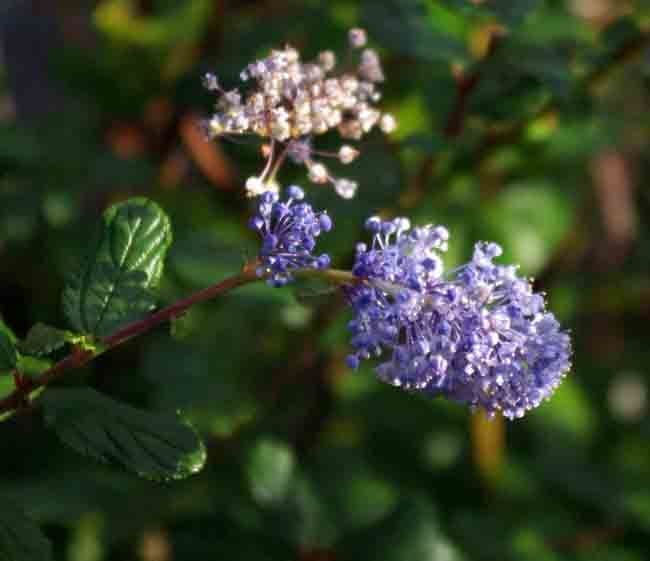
(523, 122)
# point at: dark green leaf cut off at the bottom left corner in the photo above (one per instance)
(20, 538)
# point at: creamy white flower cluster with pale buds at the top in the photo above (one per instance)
(293, 100)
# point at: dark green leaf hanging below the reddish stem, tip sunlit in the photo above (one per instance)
(153, 445)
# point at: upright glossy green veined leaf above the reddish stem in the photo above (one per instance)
(114, 286)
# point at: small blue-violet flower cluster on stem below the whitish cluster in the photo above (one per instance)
(288, 231)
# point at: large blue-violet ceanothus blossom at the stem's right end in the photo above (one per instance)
(478, 334)
